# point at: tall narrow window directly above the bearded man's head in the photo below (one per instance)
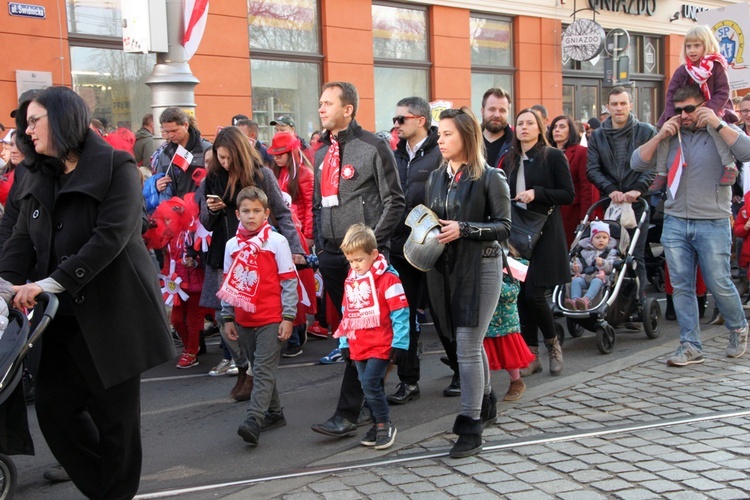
(491, 56)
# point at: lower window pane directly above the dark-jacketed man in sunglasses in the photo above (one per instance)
(392, 85)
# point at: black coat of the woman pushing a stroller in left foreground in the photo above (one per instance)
(88, 239)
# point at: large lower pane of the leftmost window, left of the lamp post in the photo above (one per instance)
(112, 83)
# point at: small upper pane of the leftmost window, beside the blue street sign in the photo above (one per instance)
(95, 17)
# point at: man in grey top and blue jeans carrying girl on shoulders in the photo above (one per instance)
(697, 228)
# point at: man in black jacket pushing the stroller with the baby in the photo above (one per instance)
(608, 168)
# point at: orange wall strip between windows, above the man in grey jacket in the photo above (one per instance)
(347, 45)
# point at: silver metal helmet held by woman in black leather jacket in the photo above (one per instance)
(422, 249)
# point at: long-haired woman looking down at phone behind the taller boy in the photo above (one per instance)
(234, 165)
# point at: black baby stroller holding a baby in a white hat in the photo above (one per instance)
(617, 302)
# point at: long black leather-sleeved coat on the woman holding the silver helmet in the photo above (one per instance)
(454, 281)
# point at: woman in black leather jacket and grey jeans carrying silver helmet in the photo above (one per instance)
(472, 203)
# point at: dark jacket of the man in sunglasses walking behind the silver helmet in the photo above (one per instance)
(413, 175)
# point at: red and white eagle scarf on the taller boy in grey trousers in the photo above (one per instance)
(238, 283)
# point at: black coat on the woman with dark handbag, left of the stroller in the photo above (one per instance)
(550, 179)
